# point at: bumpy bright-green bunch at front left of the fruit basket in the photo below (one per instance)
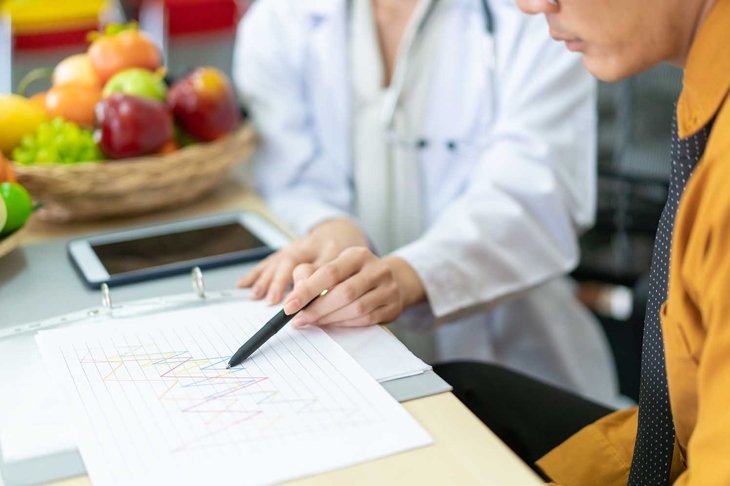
(57, 142)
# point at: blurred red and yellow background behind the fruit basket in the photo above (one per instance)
(40, 33)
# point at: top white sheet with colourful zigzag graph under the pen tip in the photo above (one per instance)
(152, 402)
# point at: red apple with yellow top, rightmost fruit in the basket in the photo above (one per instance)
(204, 105)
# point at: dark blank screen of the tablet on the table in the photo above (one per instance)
(155, 251)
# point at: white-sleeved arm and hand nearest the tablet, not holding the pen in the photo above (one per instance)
(304, 181)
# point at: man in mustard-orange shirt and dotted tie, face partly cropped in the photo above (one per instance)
(680, 433)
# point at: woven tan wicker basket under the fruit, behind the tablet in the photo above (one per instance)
(91, 191)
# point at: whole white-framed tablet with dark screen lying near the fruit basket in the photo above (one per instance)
(170, 248)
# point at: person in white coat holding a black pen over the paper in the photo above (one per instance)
(438, 172)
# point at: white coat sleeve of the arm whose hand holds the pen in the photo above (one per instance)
(533, 189)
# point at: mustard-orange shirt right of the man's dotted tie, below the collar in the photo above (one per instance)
(697, 314)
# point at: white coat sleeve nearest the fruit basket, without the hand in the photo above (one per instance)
(300, 183)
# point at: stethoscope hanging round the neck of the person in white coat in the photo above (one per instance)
(393, 95)
